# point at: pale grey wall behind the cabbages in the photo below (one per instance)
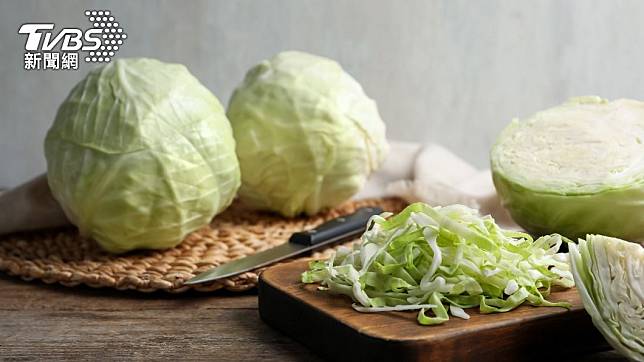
(453, 72)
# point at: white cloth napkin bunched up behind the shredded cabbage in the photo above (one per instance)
(432, 174)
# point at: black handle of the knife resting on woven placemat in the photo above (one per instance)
(338, 228)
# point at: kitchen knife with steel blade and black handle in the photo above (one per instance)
(339, 229)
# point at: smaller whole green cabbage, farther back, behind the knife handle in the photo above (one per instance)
(307, 135)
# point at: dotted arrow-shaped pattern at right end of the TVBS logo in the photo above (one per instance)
(113, 35)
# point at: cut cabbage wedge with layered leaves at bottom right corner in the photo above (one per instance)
(609, 274)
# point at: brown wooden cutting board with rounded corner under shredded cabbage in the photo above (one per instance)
(327, 324)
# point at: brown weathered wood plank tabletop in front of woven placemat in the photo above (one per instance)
(46, 322)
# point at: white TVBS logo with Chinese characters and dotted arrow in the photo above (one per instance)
(47, 48)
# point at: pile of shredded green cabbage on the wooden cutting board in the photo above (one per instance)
(434, 258)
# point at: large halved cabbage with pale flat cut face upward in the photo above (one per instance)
(575, 169)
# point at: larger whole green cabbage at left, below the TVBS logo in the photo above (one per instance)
(140, 154)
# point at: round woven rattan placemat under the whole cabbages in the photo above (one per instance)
(62, 256)
